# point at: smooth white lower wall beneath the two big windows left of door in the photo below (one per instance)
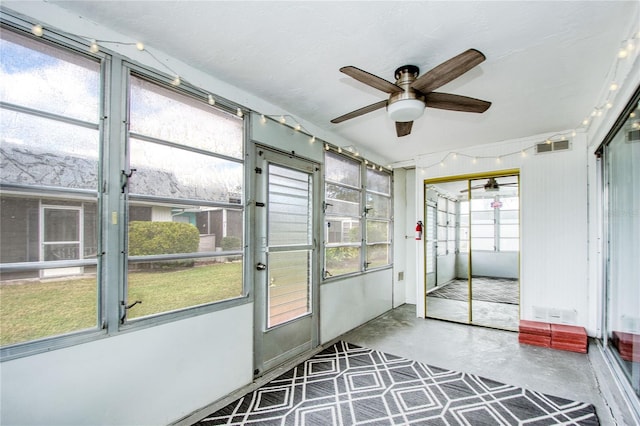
(148, 377)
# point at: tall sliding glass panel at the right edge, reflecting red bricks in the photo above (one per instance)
(621, 173)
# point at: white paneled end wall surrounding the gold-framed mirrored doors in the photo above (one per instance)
(554, 243)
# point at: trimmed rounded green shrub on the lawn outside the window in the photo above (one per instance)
(149, 238)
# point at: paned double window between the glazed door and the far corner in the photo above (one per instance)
(356, 198)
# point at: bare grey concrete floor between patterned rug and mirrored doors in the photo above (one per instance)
(496, 354)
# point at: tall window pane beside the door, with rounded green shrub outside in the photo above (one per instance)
(186, 168)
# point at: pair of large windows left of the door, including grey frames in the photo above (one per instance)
(73, 164)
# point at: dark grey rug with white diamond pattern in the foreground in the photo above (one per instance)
(349, 385)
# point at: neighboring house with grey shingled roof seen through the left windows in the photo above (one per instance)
(40, 226)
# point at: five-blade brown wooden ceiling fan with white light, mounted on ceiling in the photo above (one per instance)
(411, 94)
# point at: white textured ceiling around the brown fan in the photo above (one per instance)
(546, 65)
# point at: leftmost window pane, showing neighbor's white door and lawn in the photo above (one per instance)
(49, 157)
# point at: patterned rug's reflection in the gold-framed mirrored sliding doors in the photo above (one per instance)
(497, 290)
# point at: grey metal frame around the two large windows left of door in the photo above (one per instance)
(110, 207)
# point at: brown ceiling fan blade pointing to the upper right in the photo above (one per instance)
(448, 70)
